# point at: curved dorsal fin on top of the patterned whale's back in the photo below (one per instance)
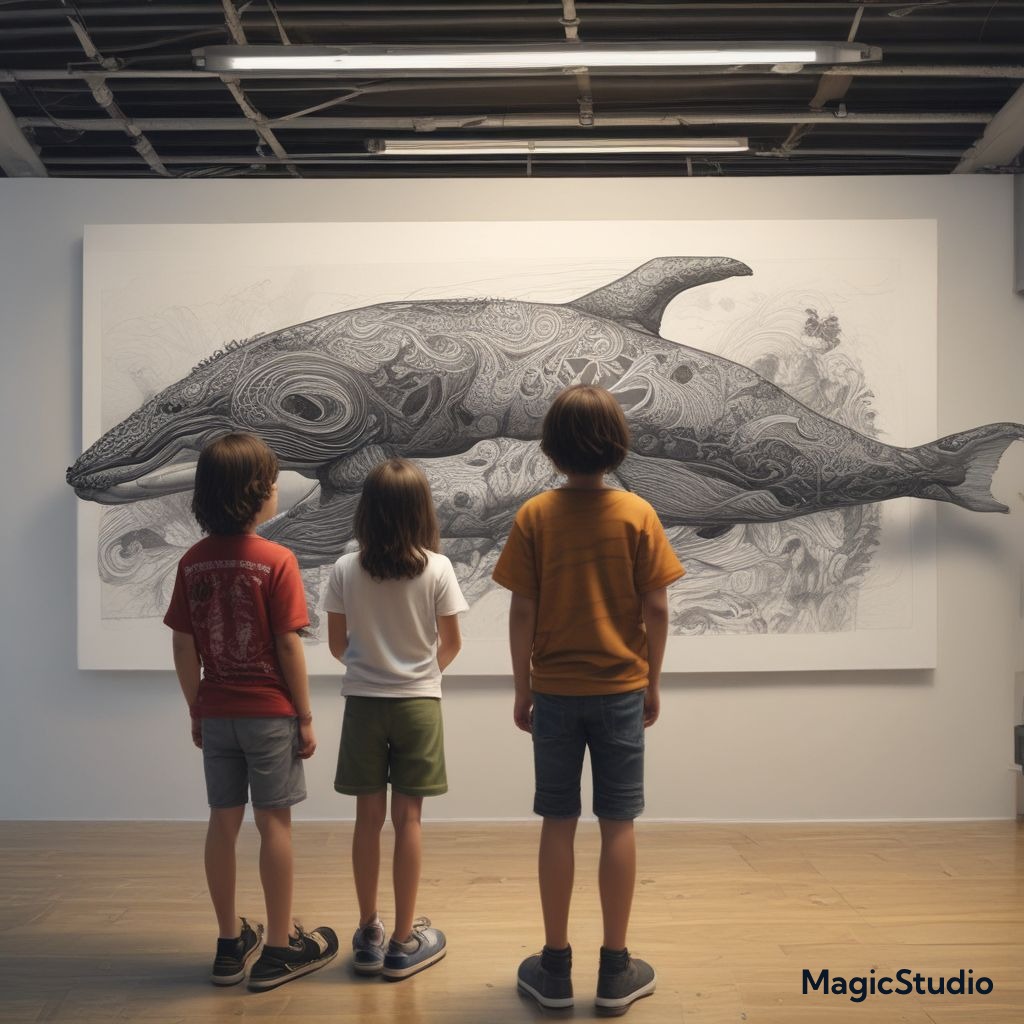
(643, 295)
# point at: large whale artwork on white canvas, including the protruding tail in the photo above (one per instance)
(779, 378)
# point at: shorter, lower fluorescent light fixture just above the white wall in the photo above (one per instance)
(516, 147)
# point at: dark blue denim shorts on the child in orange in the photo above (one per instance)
(612, 727)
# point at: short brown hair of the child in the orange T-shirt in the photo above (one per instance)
(585, 432)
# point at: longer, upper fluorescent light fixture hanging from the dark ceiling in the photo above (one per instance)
(523, 59)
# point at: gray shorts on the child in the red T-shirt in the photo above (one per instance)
(253, 754)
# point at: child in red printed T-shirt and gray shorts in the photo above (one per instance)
(237, 606)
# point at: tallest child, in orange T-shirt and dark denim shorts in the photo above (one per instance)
(588, 568)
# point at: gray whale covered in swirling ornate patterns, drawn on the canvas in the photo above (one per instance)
(462, 387)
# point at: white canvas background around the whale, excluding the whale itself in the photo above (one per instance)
(159, 300)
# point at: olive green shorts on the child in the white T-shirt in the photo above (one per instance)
(393, 740)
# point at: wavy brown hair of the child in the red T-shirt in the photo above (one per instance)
(234, 477)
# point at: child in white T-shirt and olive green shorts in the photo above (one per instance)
(394, 620)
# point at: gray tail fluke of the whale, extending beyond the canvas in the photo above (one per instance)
(963, 465)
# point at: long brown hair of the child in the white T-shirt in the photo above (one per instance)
(396, 523)
